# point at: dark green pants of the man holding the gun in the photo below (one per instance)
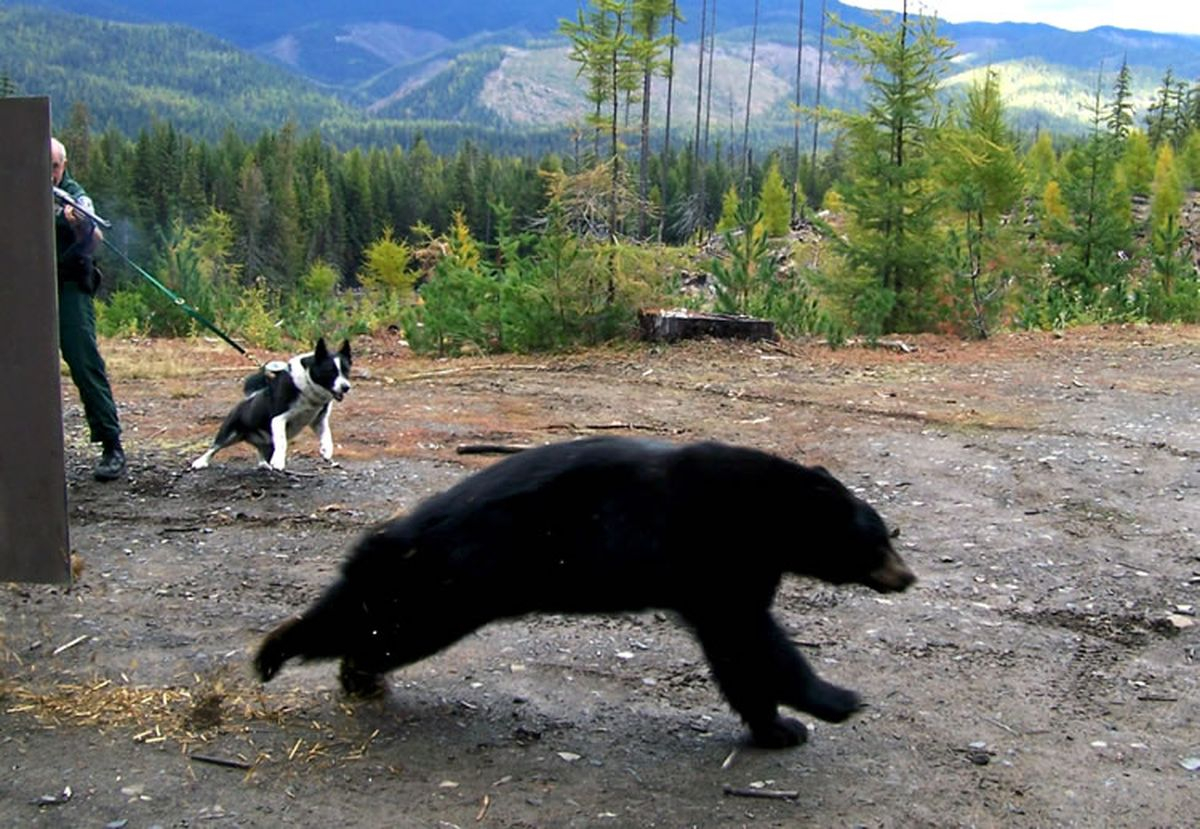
(77, 338)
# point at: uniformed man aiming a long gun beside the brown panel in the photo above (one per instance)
(76, 238)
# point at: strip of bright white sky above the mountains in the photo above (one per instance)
(1167, 16)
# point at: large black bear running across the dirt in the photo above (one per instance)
(603, 526)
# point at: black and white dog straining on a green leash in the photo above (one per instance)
(281, 401)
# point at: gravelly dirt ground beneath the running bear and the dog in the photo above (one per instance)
(1042, 674)
